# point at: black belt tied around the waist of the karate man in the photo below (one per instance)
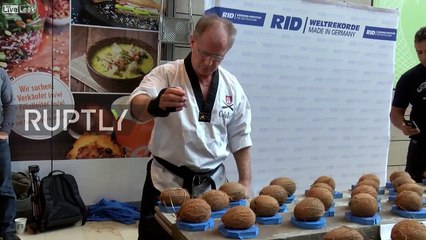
(190, 178)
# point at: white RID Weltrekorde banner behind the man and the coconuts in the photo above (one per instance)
(318, 75)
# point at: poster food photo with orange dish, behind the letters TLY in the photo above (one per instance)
(108, 131)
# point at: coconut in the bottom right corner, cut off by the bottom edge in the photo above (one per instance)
(408, 229)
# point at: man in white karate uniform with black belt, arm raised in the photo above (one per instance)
(201, 116)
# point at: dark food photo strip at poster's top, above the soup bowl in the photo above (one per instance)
(140, 14)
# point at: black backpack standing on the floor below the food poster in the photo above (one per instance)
(60, 200)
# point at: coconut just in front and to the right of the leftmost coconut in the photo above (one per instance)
(194, 210)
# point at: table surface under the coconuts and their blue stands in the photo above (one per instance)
(286, 230)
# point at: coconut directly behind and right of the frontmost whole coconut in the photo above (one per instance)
(264, 206)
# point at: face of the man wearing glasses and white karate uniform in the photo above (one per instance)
(208, 50)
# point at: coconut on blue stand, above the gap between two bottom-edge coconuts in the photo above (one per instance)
(363, 205)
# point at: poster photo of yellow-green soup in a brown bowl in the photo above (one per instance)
(110, 60)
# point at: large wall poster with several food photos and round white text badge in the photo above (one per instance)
(73, 64)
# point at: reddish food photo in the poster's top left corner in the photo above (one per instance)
(36, 40)
